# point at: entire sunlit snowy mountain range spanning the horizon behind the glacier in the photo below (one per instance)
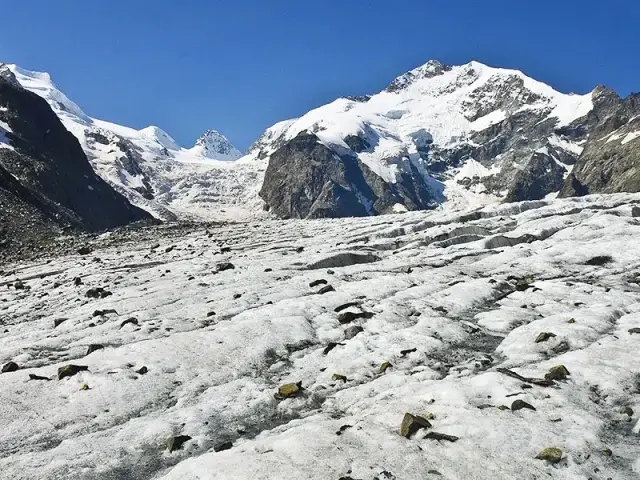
(438, 136)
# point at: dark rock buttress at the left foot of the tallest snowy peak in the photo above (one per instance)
(305, 179)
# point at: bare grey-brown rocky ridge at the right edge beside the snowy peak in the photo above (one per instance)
(610, 162)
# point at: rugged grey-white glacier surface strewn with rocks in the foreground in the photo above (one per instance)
(456, 318)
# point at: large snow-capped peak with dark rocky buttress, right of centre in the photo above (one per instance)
(436, 134)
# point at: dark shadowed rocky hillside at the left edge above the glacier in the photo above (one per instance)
(46, 182)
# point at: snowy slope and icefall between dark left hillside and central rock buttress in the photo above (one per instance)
(151, 169)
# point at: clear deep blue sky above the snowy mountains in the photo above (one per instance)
(241, 65)
